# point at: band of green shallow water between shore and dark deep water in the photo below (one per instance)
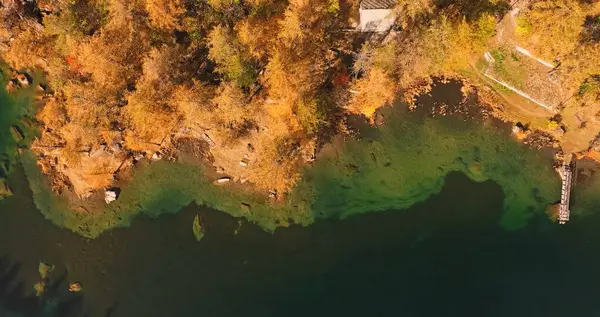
(392, 166)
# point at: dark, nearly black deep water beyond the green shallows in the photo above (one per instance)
(444, 257)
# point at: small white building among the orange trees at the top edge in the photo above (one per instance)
(377, 15)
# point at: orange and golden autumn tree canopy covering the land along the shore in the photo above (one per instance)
(261, 83)
